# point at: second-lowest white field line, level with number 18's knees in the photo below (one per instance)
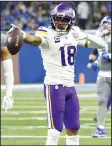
(45, 127)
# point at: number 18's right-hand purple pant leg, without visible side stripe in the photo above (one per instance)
(71, 115)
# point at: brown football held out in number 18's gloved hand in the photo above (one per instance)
(14, 41)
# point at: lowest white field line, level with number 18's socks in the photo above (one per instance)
(31, 136)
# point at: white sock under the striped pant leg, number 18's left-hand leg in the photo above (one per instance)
(52, 137)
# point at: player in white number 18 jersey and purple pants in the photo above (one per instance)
(58, 45)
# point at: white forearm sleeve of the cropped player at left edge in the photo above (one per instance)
(9, 77)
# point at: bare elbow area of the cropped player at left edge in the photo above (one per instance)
(5, 53)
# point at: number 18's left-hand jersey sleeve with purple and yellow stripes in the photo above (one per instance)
(43, 33)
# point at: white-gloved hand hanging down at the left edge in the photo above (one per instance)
(8, 103)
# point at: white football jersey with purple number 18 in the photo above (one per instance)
(58, 53)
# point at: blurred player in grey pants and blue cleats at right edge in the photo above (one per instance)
(104, 75)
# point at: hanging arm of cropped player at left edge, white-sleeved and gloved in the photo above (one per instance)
(8, 73)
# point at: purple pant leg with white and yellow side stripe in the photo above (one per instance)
(55, 101)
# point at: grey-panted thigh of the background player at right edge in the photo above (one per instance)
(103, 89)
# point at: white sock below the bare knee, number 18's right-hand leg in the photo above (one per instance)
(72, 140)
